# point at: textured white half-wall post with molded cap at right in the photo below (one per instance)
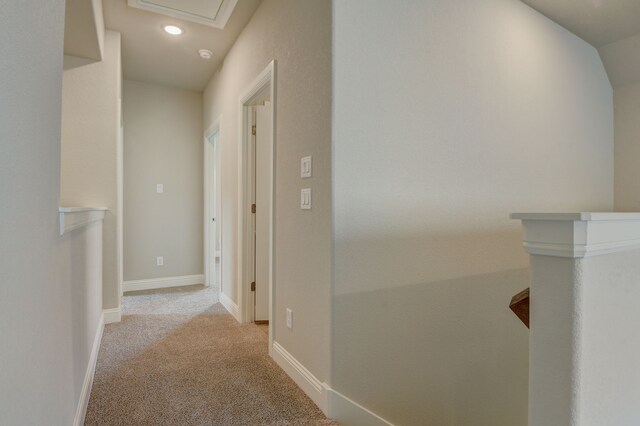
(585, 318)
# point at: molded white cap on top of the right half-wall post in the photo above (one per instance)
(578, 235)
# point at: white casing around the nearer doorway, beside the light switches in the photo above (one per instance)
(267, 78)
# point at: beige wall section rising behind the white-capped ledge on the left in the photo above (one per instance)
(90, 128)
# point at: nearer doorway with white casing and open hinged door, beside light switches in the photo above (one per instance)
(256, 201)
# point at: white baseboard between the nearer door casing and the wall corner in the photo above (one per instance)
(314, 388)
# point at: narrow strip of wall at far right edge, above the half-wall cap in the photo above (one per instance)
(627, 151)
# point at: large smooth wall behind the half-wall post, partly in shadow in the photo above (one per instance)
(447, 116)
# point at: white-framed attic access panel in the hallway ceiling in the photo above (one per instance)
(214, 13)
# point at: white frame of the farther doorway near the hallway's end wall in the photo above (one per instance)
(215, 128)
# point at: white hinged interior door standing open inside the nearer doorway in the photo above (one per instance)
(263, 205)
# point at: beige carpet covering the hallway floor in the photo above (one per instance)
(178, 358)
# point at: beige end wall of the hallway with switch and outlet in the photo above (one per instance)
(162, 145)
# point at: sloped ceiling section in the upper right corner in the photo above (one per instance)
(612, 26)
